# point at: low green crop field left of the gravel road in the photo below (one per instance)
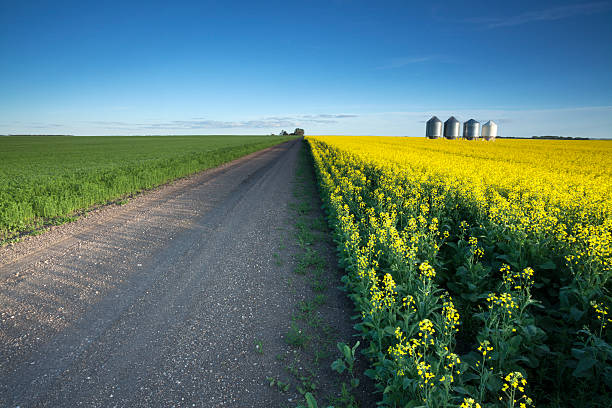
(44, 179)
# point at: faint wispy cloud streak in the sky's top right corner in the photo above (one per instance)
(549, 14)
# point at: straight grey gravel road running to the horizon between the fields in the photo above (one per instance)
(158, 302)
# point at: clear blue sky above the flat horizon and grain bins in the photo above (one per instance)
(331, 67)
